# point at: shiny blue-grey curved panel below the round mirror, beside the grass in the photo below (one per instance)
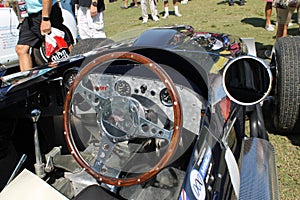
(258, 170)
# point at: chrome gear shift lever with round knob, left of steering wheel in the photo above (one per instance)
(39, 165)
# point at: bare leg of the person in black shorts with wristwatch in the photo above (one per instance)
(25, 61)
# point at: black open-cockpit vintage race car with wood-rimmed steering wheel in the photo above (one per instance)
(167, 113)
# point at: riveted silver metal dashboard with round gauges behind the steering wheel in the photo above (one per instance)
(152, 94)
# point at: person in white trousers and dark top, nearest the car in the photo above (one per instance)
(90, 18)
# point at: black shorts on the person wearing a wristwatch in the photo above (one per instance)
(30, 33)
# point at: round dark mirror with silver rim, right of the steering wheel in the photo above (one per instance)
(247, 80)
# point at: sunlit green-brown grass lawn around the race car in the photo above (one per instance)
(243, 21)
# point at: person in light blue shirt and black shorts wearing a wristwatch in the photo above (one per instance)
(42, 15)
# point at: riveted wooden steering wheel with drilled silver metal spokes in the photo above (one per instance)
(98, 103)
